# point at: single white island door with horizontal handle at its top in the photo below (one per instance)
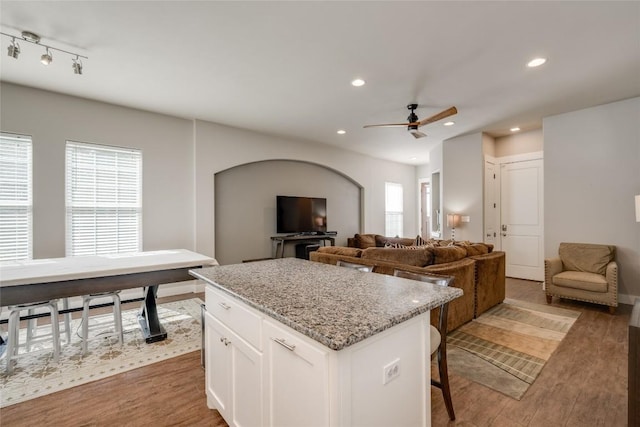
(297, 379)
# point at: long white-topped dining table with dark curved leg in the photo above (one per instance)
(29, 281)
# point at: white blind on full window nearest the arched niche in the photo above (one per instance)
(104, 199)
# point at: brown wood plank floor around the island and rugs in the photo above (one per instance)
(583, 384)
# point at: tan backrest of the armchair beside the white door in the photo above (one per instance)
(586, 257)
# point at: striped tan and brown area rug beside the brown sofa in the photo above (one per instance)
(506, 348)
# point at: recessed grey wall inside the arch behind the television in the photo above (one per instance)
(245, 200)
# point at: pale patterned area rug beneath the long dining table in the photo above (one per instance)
(36, 374)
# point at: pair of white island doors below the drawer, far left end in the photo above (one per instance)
(233, 375)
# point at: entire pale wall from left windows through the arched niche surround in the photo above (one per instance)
(180, 158)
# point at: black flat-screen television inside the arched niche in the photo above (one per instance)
(301, 214)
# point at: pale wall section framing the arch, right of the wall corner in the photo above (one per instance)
(220, 147)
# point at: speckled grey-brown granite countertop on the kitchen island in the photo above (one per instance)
(335, 306)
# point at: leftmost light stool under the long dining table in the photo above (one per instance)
(13, 339)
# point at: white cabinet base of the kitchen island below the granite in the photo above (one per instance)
(260, 372)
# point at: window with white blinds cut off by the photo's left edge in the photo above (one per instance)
(16, 205)
